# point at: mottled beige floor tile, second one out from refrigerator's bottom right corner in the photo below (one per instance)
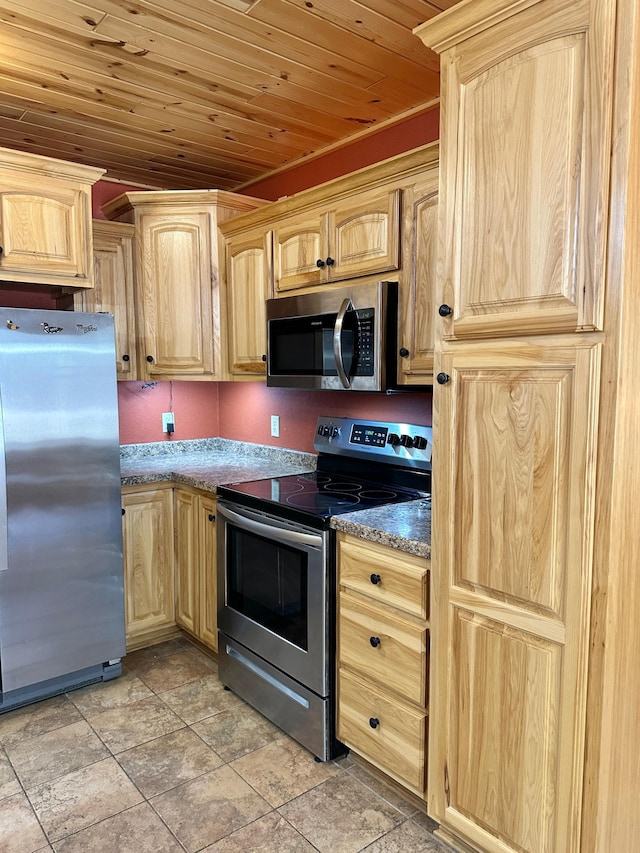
(131, 725)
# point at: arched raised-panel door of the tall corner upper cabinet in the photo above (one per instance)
(175, 294)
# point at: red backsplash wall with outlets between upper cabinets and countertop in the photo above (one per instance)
(243, 410)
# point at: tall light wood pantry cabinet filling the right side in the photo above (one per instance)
(535, 581)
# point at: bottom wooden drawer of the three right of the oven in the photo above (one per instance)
(397, 744)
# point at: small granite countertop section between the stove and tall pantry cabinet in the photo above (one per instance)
(406, 526)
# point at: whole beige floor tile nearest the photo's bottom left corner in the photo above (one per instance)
(82, 798)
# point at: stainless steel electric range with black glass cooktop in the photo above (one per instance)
(276, 568)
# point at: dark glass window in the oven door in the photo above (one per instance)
(267, 583)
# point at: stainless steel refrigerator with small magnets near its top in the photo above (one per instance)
(61, 574)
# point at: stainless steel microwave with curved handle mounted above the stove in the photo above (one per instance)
(335, 339)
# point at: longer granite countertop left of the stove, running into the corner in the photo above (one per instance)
(207, 463)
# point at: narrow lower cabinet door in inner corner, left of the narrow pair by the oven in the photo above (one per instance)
(185, 508)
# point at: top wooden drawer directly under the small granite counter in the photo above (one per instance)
(384, 574)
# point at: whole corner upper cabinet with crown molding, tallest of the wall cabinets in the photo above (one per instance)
(177, 295)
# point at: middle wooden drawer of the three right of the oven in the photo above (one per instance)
(383, 648)
